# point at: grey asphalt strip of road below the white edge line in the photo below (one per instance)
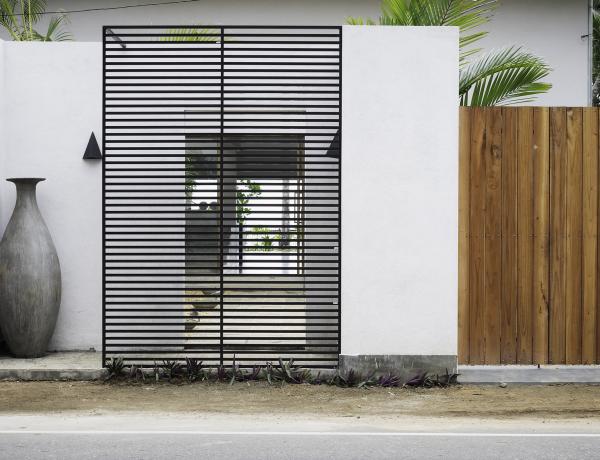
(232, 446)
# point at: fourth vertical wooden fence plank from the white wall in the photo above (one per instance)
(508, 332)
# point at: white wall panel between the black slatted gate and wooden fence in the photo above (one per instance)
(399, 191)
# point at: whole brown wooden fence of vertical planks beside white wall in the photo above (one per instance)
(528, 236)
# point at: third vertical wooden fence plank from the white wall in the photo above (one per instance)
(493, 232)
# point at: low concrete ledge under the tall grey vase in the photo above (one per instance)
(73, 365)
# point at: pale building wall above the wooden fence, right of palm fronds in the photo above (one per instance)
(551, 29)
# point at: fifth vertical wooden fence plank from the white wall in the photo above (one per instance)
(525, 240)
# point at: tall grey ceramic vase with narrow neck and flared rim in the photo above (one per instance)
(29, 277)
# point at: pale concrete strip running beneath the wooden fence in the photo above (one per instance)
(529, 374)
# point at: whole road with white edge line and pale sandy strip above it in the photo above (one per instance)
(158, 435)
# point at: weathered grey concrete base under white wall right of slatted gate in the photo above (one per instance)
(405, 366)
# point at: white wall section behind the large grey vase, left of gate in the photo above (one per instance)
(52, 101)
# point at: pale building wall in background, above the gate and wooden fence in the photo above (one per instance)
(550, 28)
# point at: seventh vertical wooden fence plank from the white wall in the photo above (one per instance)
(557, 330)
